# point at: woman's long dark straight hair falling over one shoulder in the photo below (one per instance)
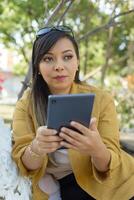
(40, 90)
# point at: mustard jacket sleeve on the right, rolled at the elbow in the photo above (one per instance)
(108, 128)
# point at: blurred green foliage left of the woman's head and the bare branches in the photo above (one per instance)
(19, 20)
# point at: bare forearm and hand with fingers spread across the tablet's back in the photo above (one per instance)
(89, 143)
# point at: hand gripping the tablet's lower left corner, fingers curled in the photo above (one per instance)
(46, 141)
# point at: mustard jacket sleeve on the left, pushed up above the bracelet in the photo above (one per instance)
(24, 130)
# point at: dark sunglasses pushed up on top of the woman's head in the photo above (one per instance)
(46, 30)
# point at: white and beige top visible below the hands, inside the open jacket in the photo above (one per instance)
(58, 167)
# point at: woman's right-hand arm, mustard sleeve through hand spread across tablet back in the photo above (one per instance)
(100, 141)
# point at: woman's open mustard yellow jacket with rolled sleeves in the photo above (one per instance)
(116, 184)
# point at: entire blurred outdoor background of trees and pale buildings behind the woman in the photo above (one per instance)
(105, 33)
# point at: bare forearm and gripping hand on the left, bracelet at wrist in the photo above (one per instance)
(44, 142)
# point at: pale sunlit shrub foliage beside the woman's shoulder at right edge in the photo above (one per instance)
(124, 100)
